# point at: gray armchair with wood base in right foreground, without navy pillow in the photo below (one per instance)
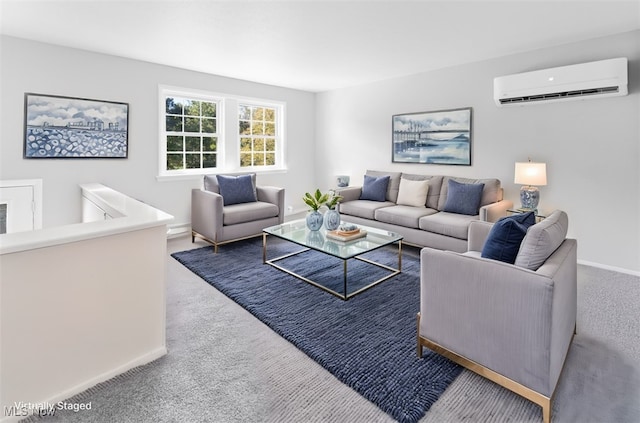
(510, 323)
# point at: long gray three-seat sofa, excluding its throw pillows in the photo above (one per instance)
(427, 224)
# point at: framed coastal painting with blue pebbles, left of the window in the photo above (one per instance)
(74, 128)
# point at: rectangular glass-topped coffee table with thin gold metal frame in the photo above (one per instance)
(297, 233)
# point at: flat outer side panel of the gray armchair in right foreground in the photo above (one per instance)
(493, 313)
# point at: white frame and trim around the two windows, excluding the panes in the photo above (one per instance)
(228, 132)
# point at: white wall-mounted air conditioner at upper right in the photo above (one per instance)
(604, 78)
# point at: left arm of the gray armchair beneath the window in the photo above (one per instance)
(206, 213)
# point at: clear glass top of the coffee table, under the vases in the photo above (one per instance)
(297, 231)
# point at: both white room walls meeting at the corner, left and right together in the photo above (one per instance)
(591, 147)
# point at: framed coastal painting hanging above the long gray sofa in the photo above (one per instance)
(440, 137)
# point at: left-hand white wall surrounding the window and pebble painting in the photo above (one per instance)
(28, 66)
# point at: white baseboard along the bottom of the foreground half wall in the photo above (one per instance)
(64, 395)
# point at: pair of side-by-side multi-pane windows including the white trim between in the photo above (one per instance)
(193, 140)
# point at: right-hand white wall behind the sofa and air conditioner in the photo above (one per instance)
(591, 147)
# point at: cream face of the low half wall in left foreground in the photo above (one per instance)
(79, 313)
